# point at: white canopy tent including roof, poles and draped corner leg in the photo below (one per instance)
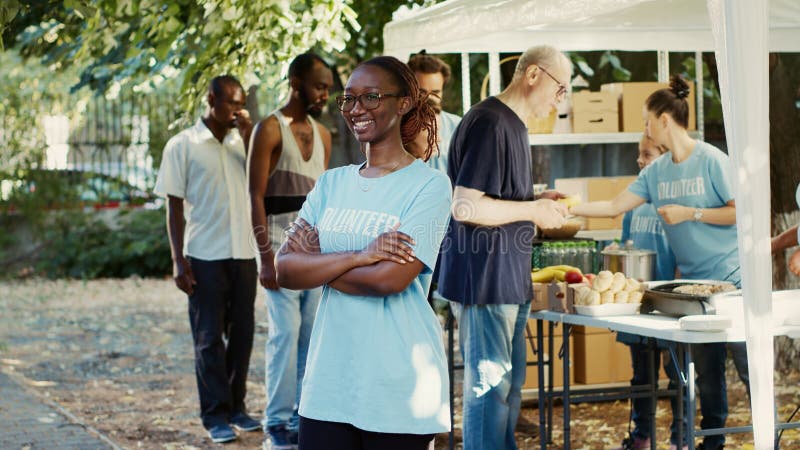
(741, 32)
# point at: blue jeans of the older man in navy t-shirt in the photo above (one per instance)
(492, 339)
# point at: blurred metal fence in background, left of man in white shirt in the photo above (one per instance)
(104, 150)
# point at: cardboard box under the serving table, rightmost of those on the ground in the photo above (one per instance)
(599, 358)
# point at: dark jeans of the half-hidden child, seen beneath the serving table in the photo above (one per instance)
(643, 407)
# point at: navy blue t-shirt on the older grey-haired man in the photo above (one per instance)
(480, 265)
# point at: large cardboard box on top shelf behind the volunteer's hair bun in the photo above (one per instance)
(631, 98)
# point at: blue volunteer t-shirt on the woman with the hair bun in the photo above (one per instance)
(703, 180)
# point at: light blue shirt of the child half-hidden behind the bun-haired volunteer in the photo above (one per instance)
(643, 227)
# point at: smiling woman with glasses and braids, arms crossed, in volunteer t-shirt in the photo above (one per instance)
(376, 374)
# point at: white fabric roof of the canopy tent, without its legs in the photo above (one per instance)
(478, 26)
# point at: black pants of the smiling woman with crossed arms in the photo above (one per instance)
(322, 435)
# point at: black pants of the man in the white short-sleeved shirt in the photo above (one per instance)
(221, 316)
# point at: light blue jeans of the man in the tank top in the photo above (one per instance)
(291, 318)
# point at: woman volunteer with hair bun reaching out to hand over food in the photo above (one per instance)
(691, 189)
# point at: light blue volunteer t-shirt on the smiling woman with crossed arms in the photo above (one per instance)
(378, 363)
